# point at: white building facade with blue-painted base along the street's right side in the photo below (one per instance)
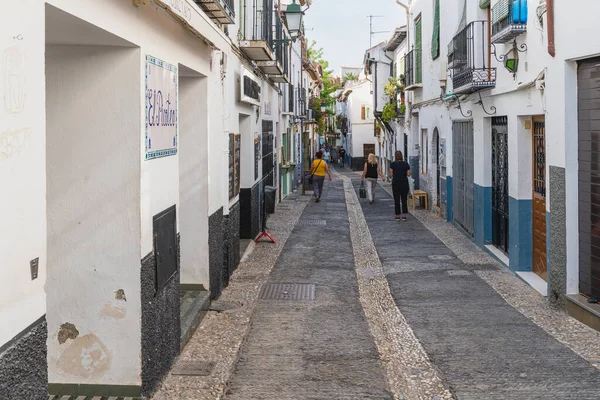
(501, 113)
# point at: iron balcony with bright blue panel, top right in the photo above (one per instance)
(509, 20)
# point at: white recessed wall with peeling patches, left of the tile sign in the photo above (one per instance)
(93, 210)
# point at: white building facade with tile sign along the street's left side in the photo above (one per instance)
(136, 141)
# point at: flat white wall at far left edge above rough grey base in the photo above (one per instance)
(22, 166)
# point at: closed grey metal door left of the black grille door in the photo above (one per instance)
(463, 169)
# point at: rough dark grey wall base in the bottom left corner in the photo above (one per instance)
(23, 365)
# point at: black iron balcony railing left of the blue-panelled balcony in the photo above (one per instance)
(468, 55)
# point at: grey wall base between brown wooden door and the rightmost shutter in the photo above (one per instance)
(556, 238)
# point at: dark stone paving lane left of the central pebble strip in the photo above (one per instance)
(313, 349)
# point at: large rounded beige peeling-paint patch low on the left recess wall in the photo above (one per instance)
(86, 357)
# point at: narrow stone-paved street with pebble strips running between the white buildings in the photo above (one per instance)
(394, 320)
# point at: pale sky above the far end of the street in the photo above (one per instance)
(341, 27)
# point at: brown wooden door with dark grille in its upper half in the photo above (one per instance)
(539, 198)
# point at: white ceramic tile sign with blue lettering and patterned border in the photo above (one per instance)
(161, 108)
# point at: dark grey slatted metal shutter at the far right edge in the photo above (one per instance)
(588, 86)
